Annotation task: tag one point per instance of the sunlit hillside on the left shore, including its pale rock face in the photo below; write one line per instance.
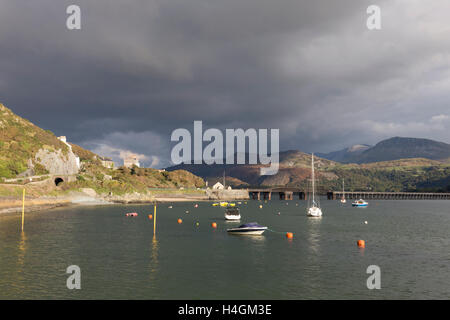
(27, 150)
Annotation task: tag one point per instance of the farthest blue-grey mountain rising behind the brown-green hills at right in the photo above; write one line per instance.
(392, 149)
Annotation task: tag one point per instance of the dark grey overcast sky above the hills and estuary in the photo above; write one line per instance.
(138, 69)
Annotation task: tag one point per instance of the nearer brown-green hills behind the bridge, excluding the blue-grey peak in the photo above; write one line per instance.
(395, 175)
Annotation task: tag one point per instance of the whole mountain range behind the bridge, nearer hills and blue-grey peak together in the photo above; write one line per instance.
(395, 164)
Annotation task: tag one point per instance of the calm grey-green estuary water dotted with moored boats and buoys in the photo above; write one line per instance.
(119, 257)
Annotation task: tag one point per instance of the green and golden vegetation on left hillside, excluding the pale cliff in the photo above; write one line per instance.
(20, 140)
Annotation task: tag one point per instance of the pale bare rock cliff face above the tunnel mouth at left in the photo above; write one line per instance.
(57, 162)
